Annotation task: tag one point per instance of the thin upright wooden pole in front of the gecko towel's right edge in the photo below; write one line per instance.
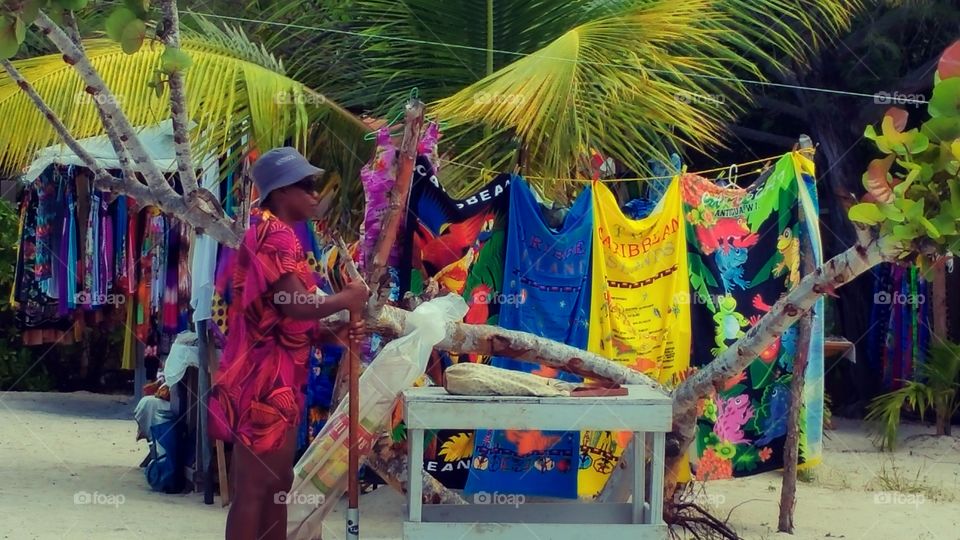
(791, 449)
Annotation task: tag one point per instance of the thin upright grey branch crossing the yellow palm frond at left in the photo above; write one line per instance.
(178, 102)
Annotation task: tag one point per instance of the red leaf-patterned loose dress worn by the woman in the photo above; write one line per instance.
(258, 396)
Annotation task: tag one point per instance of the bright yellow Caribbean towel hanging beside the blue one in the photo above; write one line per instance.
(638, 316)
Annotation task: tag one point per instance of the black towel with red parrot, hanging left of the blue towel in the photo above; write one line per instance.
(460, 243)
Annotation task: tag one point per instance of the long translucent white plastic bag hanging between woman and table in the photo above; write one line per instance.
(320, 477)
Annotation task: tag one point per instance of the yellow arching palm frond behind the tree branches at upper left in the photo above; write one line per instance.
(235, 90)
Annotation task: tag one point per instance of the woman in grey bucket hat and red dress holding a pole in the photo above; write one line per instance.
(259, 394)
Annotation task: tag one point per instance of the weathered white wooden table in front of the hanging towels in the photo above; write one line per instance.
(645, 411)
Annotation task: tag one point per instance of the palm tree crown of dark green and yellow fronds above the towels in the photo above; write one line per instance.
(627, 77)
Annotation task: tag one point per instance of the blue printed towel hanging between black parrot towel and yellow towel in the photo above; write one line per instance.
(546, 292)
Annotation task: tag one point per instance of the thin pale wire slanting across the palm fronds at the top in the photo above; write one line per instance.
(875, 97)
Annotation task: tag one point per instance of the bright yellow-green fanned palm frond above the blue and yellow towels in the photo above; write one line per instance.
(620, 84)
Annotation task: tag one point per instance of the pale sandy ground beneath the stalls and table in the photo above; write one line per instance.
(56, 449)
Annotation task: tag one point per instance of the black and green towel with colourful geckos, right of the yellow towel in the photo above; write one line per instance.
(744, 254)
